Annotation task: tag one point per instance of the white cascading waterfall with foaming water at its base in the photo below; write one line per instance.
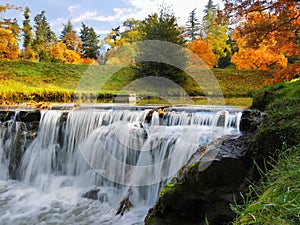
(105, 155)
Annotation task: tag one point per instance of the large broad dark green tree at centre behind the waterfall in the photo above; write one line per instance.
(162, 27)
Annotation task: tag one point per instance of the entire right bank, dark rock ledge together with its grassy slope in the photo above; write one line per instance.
(244, 183)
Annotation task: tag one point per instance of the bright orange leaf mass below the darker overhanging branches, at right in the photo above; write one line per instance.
(256, 52)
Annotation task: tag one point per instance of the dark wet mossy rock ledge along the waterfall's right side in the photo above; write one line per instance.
(211, 180)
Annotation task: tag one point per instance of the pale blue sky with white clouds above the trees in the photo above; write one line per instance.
(103, 15)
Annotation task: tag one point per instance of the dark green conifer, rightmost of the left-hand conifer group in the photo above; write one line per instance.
(90, 42)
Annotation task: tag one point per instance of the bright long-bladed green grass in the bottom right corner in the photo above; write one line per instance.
(278, 196)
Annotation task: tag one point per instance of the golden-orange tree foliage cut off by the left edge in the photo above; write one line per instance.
(9, 48)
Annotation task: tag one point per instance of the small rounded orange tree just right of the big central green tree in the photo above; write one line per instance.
(202, 49)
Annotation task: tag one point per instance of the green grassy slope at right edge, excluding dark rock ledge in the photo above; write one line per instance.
(276, 198)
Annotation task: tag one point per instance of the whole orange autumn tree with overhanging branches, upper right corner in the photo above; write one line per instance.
(272, 26)
